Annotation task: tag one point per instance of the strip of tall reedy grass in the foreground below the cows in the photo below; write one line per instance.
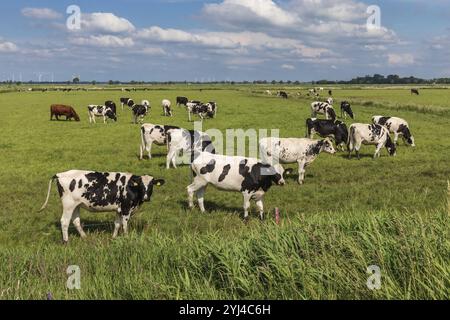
(323, 256)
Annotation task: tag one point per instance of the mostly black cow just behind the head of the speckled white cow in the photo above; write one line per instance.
(328, 128)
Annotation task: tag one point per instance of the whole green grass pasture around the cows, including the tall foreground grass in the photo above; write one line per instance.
(349, 214)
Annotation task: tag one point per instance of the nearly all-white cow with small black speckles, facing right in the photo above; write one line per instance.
(293, 150)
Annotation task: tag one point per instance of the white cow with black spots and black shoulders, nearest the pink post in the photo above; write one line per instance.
(246, 175)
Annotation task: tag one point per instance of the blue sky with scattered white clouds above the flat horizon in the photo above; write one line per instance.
(191, 40)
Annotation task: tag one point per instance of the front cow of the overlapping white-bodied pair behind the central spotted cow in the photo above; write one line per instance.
(187, 141)
